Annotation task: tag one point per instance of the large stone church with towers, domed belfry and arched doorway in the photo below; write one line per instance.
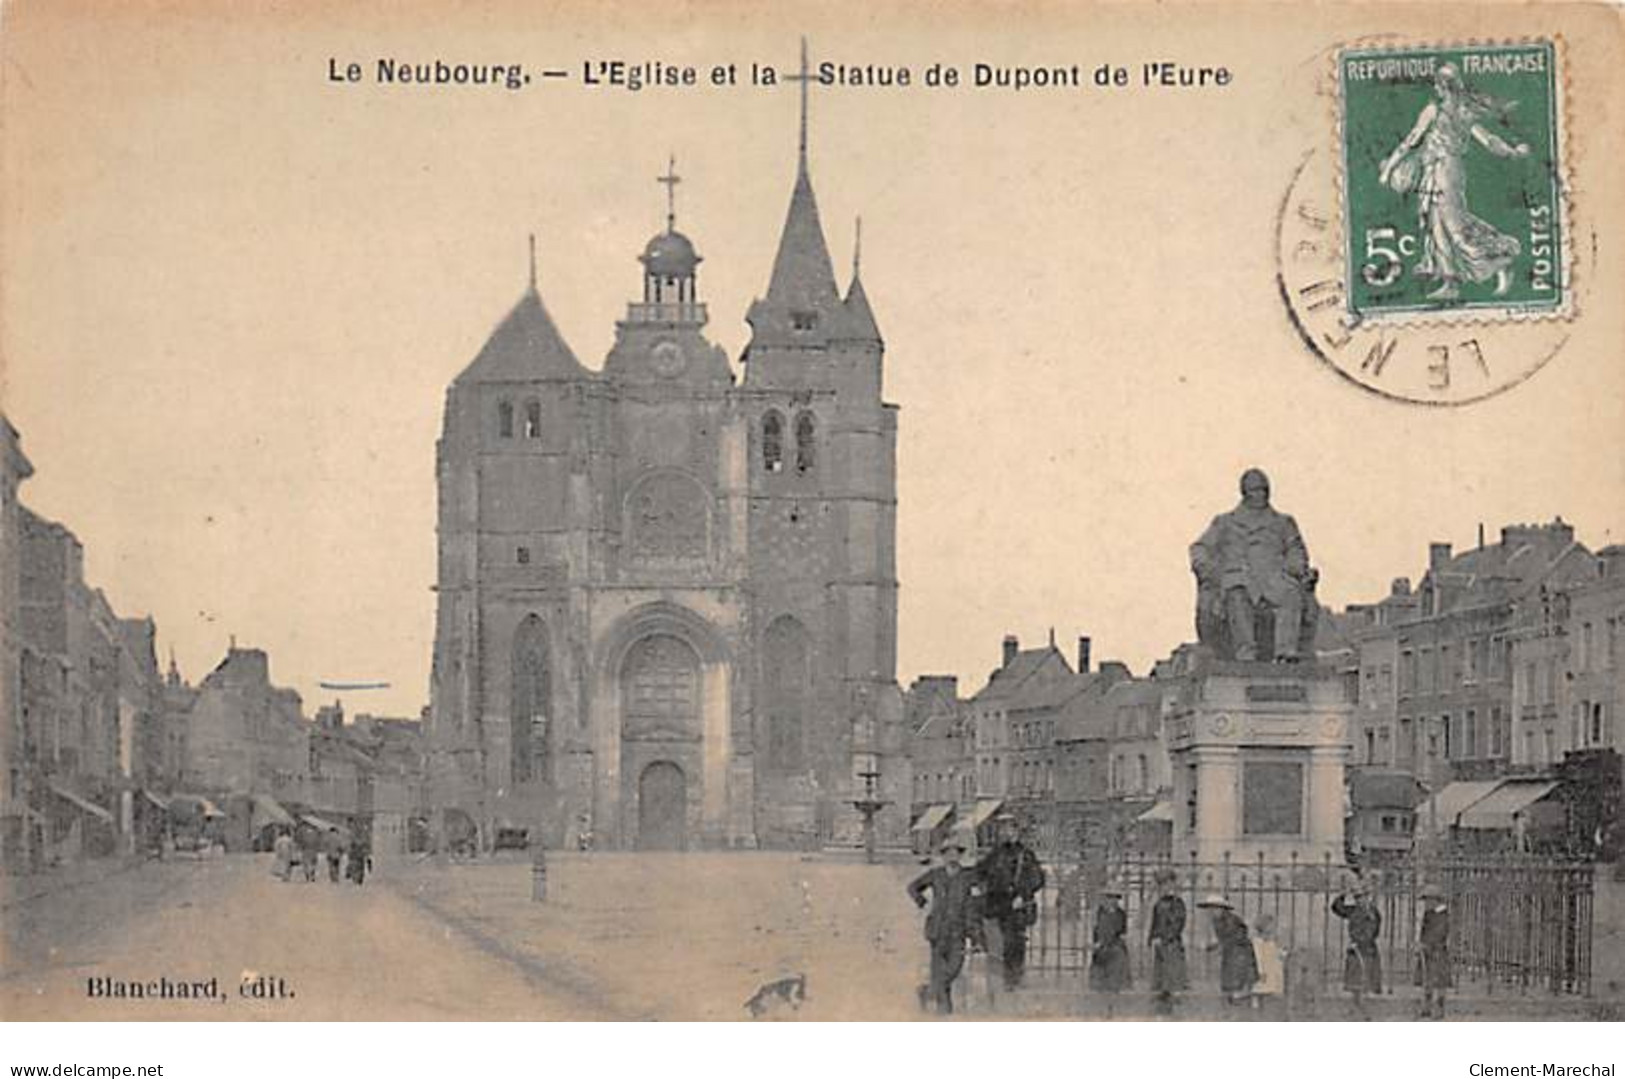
(667, 592)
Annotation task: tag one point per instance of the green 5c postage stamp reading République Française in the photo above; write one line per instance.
(1454, 183)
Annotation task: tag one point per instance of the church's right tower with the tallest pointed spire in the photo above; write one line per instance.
(823, 540)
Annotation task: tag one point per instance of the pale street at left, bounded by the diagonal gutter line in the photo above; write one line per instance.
(345, 953)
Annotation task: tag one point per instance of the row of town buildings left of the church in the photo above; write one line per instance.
(102, 753)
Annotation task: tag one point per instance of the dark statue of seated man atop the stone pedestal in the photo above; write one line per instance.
(1249, 561)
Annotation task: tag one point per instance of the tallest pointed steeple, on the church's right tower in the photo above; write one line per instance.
(802, 292)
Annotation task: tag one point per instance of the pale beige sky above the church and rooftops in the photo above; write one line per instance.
(235, 293)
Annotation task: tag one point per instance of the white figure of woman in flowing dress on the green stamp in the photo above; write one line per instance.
(1457, 245)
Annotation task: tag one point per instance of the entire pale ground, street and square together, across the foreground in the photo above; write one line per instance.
(622, 937)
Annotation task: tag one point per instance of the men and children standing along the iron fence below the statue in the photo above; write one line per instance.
(990, 908)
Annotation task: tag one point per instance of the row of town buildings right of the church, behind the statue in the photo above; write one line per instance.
(1502, 670)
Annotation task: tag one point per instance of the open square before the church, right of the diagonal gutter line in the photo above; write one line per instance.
(693, 937)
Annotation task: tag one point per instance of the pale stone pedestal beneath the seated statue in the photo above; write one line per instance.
(1259, 755)
